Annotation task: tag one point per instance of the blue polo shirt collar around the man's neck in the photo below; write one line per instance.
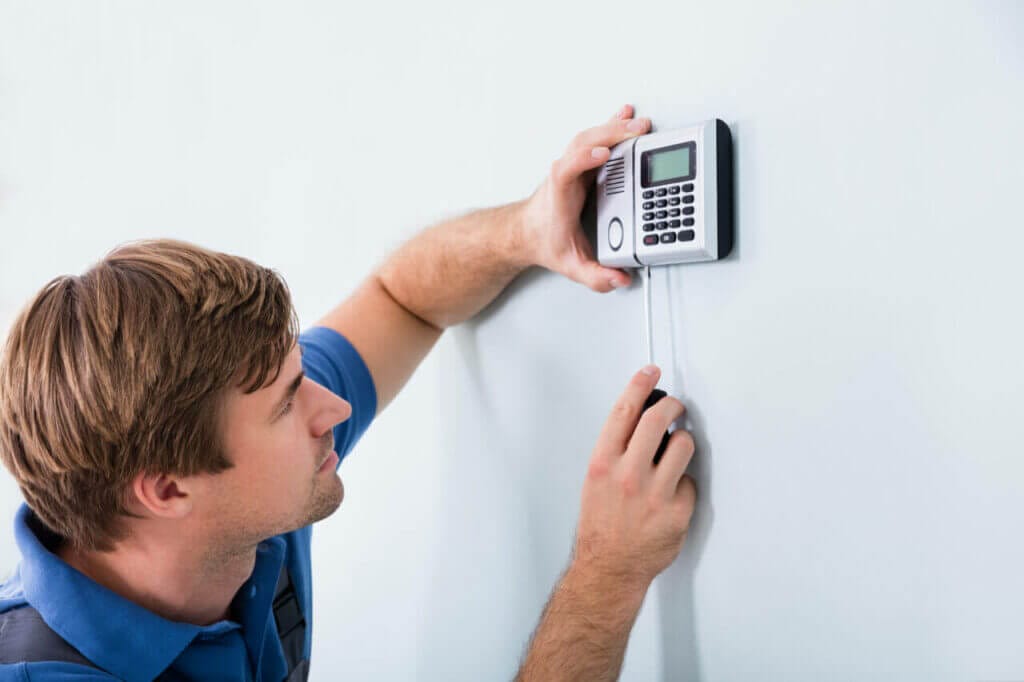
(117, 634)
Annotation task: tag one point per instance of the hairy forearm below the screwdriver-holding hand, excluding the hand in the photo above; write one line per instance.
(584, 631)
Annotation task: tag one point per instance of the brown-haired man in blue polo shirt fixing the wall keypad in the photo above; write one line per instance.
(175, 439)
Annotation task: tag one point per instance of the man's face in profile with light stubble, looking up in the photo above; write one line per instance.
(281, 443)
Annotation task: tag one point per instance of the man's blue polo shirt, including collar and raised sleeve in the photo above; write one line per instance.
(130, 643)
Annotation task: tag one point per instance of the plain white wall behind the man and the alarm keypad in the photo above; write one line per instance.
(852, 373)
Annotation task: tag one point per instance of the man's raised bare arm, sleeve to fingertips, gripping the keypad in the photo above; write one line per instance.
(451, 272)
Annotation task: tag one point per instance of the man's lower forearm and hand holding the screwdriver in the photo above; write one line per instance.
(634, 519)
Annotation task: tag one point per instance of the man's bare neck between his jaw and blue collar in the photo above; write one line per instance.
(178, 581)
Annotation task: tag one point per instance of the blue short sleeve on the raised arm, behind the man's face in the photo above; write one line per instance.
(331, 361)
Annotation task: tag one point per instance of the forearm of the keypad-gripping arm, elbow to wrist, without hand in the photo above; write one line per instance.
(449, 273)
